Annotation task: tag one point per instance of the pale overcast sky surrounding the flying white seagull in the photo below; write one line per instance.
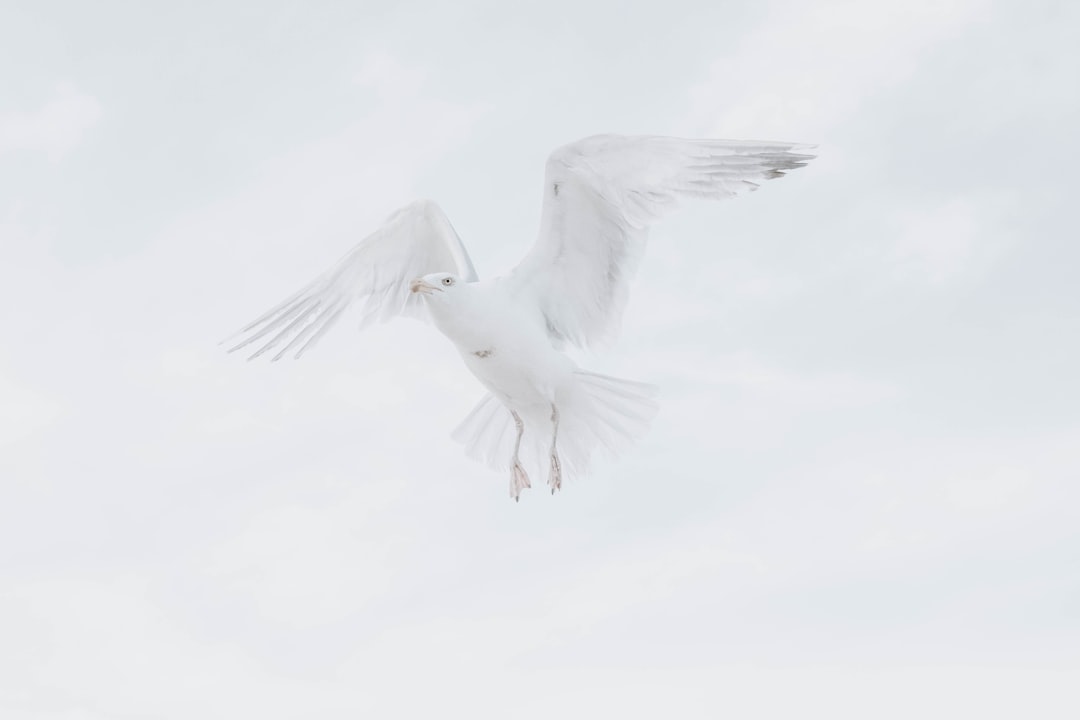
(860, 498)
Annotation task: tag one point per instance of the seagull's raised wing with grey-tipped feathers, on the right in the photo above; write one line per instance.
(601, 195)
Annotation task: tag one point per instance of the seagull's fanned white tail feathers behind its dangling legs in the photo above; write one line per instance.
(595, 411)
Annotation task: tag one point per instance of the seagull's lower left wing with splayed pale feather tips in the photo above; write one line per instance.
(415, 241)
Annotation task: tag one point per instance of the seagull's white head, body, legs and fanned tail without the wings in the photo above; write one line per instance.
(506, 344)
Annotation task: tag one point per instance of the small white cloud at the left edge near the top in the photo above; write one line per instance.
(56, 129)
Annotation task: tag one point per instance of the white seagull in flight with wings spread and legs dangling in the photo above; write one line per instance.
(601, 196)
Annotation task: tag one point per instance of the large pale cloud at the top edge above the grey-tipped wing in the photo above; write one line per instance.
(811, 66)
